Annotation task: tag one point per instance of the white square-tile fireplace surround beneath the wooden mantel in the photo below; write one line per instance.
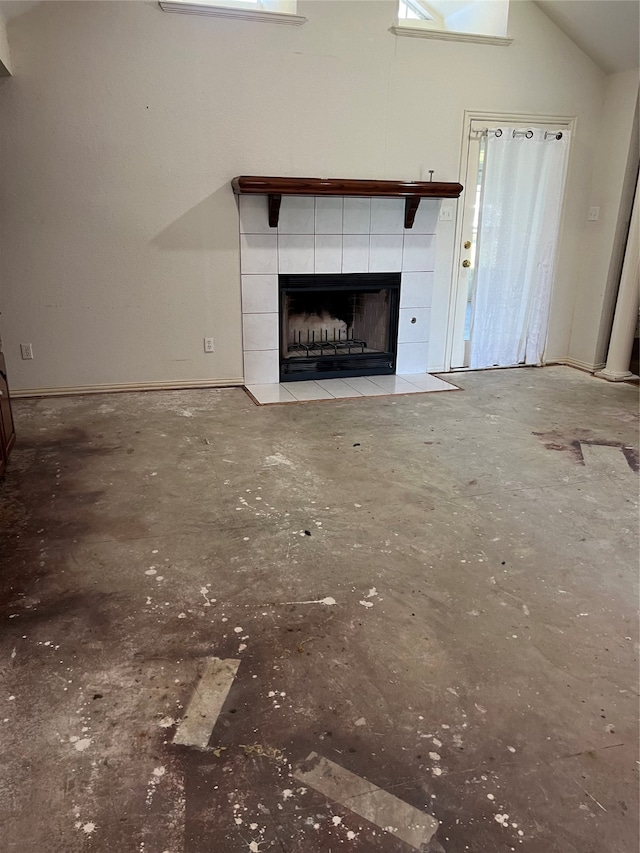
(336, 234)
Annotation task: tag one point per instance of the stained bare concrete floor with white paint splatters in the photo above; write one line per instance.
(480, 662)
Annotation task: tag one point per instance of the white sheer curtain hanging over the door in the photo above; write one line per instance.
(517, 237)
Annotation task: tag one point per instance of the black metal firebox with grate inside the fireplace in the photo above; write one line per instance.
(338, 325)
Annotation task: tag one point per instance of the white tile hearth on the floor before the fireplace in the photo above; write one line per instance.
(348, 388)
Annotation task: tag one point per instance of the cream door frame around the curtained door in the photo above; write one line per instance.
(570, 122)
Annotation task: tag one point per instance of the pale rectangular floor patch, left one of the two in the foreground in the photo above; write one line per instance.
(206, 703)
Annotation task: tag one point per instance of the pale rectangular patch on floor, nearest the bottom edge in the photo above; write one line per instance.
(365, 799)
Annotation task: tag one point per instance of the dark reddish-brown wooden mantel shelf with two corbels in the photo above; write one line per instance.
(411, 191)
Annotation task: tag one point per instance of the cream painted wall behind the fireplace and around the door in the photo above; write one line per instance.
(123, 125)
